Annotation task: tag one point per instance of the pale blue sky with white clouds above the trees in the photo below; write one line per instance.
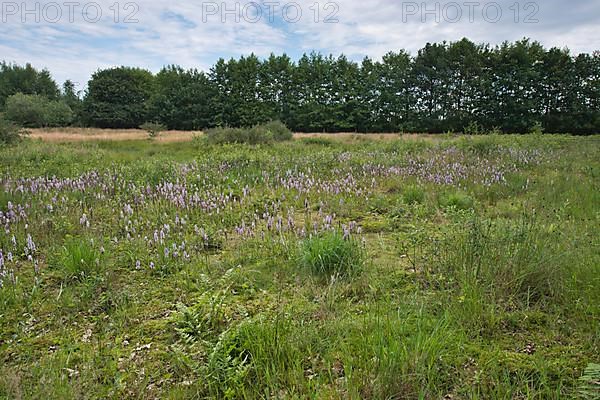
(73, 39)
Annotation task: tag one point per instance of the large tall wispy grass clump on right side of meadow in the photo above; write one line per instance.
(511, 263)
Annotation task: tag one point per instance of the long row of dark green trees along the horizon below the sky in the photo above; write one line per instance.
(458, 86)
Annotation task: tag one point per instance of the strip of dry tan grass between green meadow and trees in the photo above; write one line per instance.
(94, 134)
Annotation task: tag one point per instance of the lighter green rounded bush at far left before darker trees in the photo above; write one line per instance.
(34, 111)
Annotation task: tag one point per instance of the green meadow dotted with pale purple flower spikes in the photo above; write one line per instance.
(446, 267)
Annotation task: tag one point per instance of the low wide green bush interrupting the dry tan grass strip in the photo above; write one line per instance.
(274, 131)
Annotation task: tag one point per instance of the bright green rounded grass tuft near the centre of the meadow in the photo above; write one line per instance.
(331, 254)
